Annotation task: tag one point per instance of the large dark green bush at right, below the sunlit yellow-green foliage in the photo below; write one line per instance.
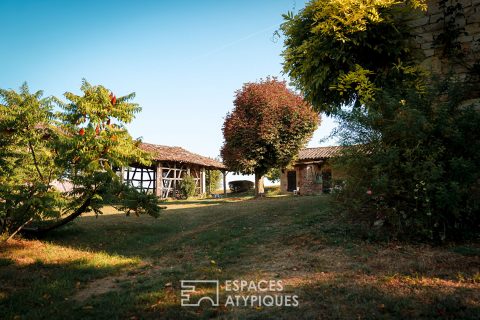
(419, 158)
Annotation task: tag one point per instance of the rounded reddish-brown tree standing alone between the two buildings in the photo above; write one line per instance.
(266, 129)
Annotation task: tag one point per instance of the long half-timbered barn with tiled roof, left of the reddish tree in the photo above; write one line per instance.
(169, 166)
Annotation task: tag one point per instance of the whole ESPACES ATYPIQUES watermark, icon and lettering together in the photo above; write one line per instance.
(238, 293)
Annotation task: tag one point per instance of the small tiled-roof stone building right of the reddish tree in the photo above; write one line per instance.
(311, 172)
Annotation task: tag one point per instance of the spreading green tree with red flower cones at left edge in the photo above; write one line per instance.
(82, 145)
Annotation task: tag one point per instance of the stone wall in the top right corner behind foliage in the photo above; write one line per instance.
(430, 26)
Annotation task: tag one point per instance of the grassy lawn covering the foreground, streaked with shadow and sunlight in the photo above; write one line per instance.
(117, 267)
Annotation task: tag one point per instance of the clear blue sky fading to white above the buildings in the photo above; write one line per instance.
(183, 59)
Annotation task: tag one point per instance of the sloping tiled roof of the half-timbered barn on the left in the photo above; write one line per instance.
(178, 154)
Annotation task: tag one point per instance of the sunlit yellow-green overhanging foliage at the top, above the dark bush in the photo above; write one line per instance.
(339, 51)
